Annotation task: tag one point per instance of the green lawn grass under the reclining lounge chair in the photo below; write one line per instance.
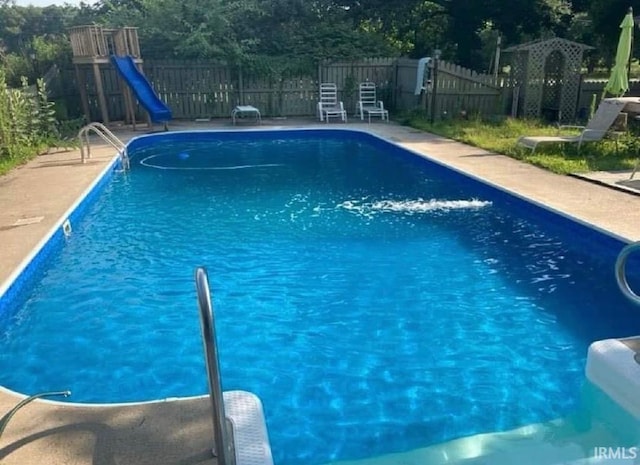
(500, 136)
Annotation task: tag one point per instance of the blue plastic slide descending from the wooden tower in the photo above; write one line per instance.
(158, 110)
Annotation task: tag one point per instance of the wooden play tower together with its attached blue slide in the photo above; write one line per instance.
(95, 46)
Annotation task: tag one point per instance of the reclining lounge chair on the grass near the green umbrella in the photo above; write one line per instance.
(595, 130)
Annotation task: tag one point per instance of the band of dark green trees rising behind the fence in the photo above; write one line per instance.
(305, 31)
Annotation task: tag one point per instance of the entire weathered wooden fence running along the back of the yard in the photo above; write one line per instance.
(209, 89)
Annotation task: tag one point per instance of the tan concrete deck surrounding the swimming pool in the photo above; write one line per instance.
(34, 198)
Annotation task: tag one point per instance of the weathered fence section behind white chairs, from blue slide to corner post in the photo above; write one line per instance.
(209, 89)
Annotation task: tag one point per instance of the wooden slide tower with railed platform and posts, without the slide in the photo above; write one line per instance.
(92, 46)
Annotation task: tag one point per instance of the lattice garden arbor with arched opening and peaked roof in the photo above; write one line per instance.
(545, 77)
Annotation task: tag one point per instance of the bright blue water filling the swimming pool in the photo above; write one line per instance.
(374, 301)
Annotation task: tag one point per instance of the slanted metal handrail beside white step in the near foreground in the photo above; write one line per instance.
(222, 445)
